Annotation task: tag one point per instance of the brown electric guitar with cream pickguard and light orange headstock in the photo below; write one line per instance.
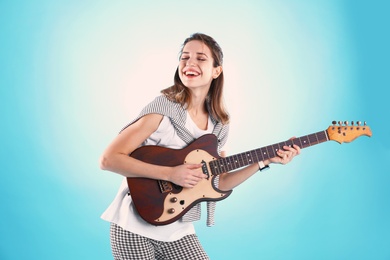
(161, 202)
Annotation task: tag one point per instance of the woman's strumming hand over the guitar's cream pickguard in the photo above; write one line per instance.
(187, 175)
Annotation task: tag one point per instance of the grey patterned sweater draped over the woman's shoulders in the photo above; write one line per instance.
(178, 115)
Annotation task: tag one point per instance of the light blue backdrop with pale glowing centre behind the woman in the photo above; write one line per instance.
(72, 73)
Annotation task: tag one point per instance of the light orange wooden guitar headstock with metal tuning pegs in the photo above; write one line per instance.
(345, 132)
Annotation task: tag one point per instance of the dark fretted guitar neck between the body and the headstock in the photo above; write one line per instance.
(236, 161)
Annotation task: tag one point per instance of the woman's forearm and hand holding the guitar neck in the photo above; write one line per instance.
(231, 180)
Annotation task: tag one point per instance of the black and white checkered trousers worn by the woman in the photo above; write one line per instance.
(127, 245)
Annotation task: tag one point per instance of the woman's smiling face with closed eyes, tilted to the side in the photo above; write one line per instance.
(196, 68)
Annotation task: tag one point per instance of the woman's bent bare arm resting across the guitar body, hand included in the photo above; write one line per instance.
(116, 156)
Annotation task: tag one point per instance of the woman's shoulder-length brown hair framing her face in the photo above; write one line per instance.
(214, 100)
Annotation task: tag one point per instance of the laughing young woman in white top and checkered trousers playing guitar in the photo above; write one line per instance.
(185, 111)
